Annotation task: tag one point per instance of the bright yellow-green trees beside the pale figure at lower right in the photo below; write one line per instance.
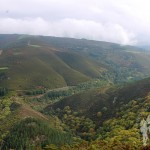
(125, 127)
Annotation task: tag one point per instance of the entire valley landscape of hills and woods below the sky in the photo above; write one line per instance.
(65, 93)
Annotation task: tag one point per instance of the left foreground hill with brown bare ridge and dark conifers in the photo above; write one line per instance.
(21, 127)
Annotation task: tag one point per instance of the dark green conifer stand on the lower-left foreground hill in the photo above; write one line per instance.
(31, 134)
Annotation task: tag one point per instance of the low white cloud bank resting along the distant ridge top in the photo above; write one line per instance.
(68, 28)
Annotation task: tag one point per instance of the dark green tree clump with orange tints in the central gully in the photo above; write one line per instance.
(80, 126)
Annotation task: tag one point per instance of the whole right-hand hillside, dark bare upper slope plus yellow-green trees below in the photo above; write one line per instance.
(108, 116)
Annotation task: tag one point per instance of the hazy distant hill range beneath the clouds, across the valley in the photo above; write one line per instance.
(28, 62)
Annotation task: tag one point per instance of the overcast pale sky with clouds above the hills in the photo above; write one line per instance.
(125, 22)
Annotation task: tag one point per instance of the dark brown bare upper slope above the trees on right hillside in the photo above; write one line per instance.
(106, 100)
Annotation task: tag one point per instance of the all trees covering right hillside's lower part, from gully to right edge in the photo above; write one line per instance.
(119, 132)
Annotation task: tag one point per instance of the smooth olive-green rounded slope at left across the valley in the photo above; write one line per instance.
(34, 66)
